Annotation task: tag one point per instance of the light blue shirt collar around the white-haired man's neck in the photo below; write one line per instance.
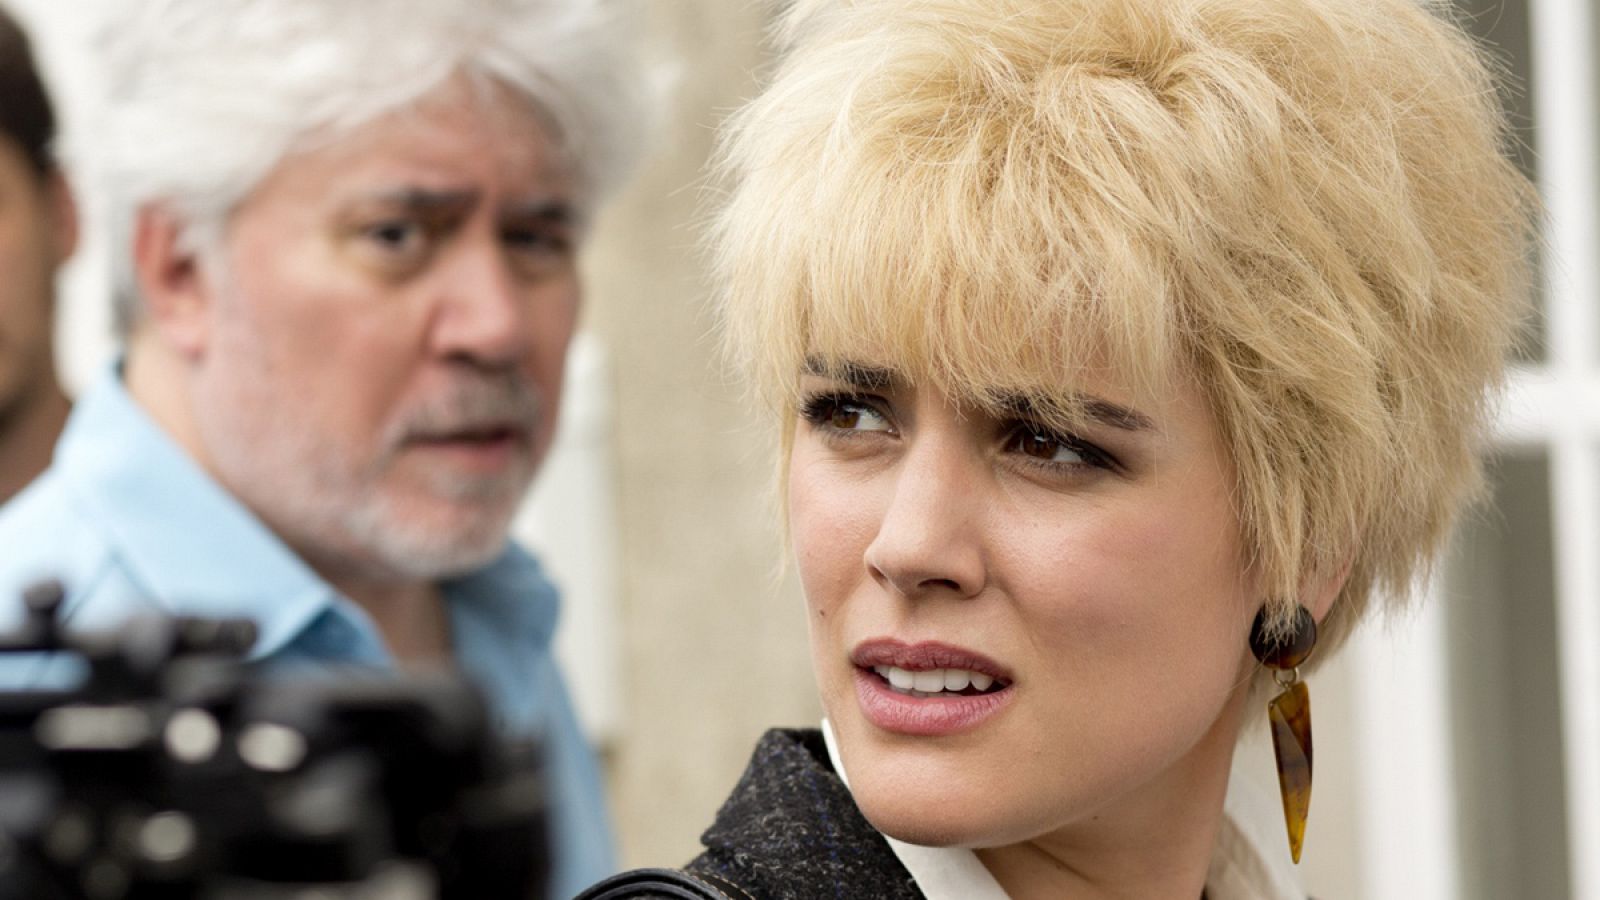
(196, 550)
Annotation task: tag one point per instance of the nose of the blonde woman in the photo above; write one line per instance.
(930, 537)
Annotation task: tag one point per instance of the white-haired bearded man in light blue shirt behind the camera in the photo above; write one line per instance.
(345, 257)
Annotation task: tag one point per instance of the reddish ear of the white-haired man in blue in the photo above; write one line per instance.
(172, 283)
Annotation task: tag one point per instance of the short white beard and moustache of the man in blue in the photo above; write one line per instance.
(329, 504)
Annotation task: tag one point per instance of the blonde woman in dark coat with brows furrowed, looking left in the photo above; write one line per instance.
(1126, 355)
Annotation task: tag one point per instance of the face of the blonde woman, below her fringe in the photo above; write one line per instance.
(1020, 614)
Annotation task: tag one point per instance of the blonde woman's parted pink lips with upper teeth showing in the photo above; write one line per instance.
(897, 691)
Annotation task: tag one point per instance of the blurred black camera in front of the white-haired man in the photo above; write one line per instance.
(174, 769)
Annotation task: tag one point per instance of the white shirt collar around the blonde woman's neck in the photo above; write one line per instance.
(1241, 866)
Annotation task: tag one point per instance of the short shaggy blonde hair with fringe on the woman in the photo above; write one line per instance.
(1300, 204)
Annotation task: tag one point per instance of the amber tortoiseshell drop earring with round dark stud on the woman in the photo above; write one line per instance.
(1290, 715)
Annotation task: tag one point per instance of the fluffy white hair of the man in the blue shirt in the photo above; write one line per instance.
(204, 98)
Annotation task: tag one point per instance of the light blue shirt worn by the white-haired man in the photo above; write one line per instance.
(130, 523)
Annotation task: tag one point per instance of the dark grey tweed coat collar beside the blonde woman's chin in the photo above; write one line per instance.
(791, 832)
